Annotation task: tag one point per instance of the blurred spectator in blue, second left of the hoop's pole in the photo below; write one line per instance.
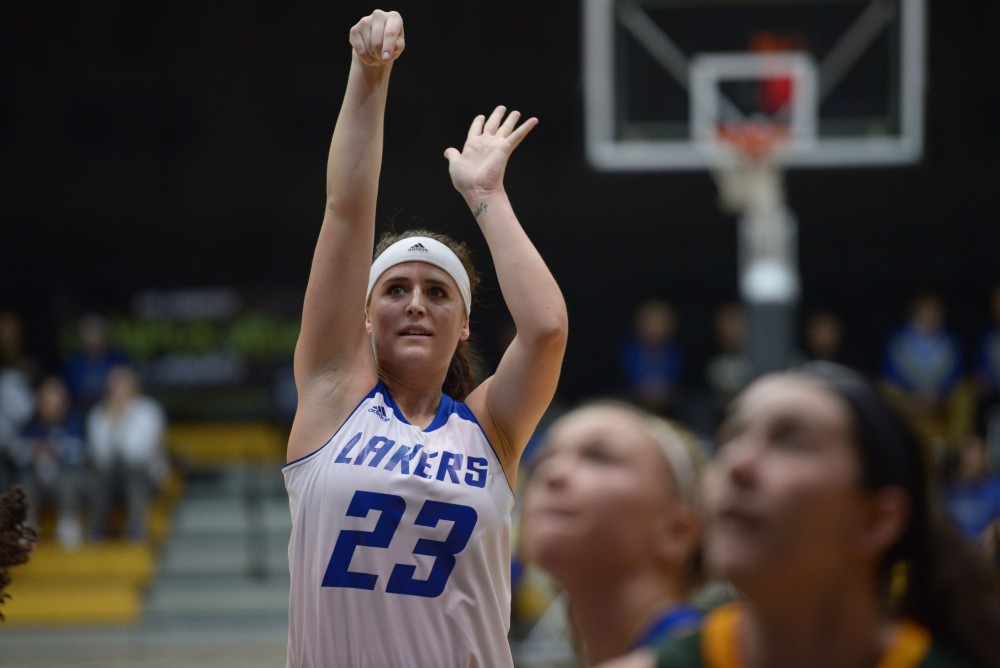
(651, 358)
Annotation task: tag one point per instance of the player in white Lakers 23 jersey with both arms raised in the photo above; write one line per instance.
(400, 493)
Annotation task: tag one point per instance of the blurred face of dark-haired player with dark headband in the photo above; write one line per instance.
(782, 496)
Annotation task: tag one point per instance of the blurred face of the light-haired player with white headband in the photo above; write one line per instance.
(598, 496)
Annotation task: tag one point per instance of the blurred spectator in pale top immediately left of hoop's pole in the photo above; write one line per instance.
(729, 369)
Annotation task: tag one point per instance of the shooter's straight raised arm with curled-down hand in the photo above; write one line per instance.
(333, 353)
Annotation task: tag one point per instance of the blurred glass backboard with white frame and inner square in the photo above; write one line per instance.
(665, 78)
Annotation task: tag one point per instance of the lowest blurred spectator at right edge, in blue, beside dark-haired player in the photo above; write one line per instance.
(972, 491)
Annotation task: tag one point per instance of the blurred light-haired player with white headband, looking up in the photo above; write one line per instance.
(609, 512)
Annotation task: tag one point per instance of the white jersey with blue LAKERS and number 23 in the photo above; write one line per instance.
(400, 545)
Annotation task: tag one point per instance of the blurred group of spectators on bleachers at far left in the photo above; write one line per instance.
(84, 440)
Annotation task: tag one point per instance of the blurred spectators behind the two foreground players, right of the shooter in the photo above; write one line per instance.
(946, 381)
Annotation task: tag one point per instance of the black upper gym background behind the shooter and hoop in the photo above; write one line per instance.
(182, 143)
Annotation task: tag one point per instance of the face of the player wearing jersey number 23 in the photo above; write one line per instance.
(416, 314)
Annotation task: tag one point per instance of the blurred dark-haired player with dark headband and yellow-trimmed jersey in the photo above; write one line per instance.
(819, 510)
